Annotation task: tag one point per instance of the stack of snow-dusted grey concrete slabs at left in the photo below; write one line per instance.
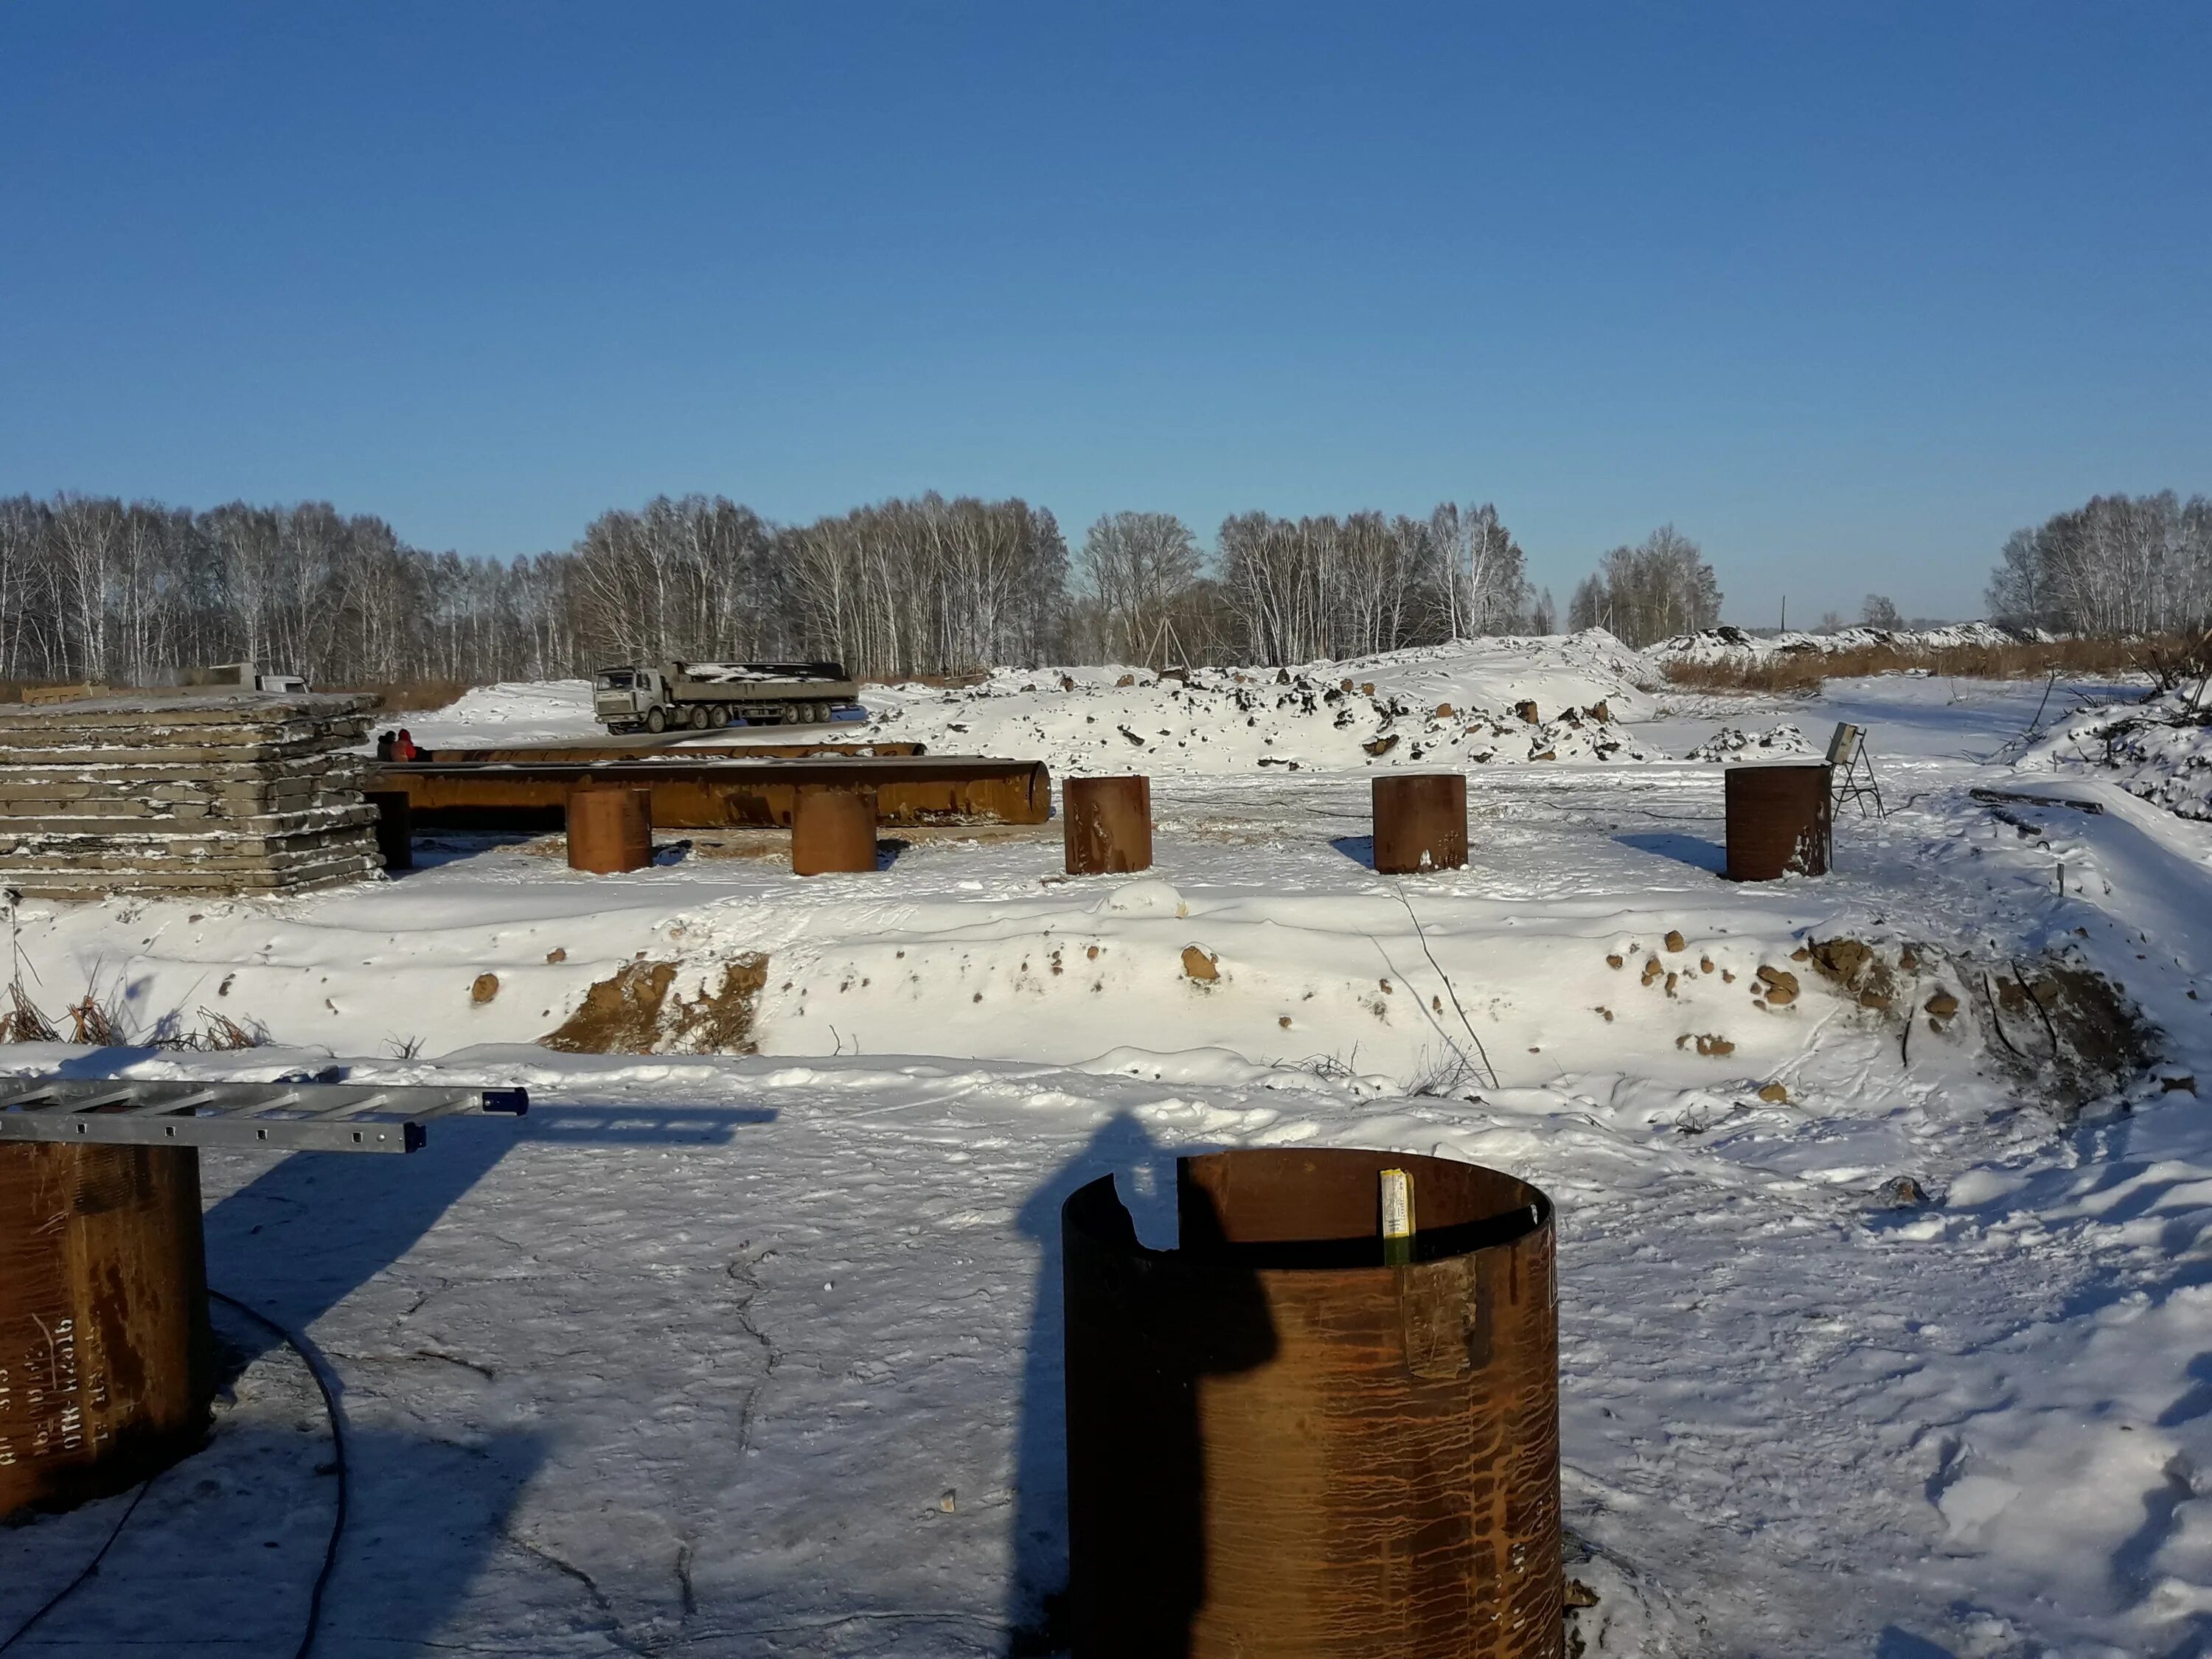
(165, 793)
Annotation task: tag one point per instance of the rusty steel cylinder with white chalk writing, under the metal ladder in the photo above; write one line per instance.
(105, 1357)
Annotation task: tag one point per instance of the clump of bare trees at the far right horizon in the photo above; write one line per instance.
(2122, 565)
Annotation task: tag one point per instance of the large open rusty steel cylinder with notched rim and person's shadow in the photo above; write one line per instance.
(1282, 1448)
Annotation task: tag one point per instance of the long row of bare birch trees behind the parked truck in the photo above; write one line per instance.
(132, 594)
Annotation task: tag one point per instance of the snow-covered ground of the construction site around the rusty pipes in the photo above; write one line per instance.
(1884, 1200)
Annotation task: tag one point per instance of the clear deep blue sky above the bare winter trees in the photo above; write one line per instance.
(1846, 293)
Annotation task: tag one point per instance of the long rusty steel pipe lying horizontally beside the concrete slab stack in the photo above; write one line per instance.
(722, 795)
